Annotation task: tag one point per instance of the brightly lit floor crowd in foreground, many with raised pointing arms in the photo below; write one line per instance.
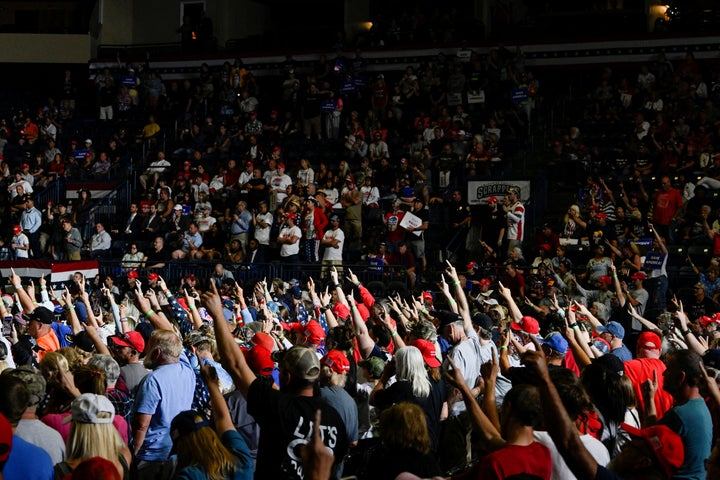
(207, 379)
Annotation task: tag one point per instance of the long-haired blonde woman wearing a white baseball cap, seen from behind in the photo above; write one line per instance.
(92, 434)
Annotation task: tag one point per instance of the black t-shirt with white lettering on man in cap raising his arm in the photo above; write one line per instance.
(286, 423)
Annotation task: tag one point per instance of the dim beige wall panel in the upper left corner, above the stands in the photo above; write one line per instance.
(44, 48)
